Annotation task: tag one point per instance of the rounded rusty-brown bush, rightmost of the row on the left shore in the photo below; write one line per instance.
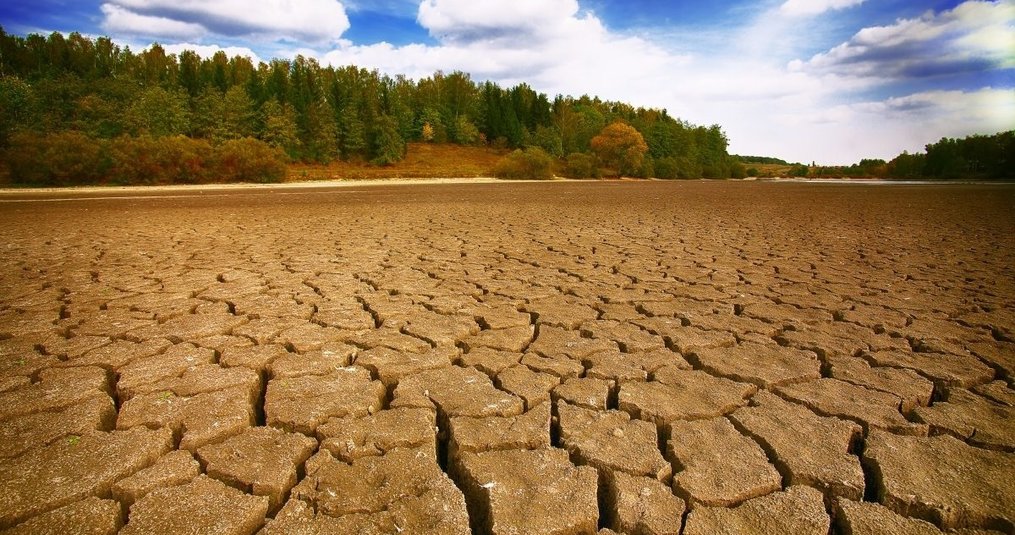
(249, 160)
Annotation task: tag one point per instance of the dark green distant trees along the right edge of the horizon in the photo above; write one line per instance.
(973, 158)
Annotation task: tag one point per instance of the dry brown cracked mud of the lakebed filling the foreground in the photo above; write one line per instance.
(556, 358)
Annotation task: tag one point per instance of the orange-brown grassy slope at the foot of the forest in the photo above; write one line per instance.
(424, 161)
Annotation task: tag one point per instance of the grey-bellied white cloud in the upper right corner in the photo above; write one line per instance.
(974, 37)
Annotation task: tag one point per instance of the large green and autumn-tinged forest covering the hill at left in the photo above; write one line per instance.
(55, 90)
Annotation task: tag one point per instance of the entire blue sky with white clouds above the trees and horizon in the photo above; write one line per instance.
(831, 82)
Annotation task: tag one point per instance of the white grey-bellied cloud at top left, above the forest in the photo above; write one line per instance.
(316, 22)
